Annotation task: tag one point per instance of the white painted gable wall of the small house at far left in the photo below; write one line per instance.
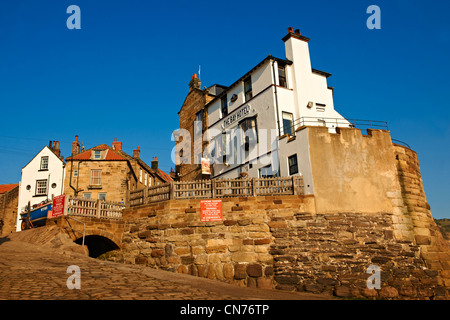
(31, 173)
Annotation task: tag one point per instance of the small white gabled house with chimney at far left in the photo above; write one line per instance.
(42, 179)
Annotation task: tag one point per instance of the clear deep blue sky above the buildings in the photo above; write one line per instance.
(125, 74)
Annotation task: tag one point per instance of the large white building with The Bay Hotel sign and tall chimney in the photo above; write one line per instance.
(248, 119)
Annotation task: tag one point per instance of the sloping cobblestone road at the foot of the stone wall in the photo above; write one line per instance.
(34, 272)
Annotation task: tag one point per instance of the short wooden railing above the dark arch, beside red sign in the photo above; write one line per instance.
(94, 208)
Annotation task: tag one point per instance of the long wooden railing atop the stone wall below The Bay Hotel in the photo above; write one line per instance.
(217, 188)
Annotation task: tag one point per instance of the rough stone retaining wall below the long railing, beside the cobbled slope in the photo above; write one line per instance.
(280, 242)
